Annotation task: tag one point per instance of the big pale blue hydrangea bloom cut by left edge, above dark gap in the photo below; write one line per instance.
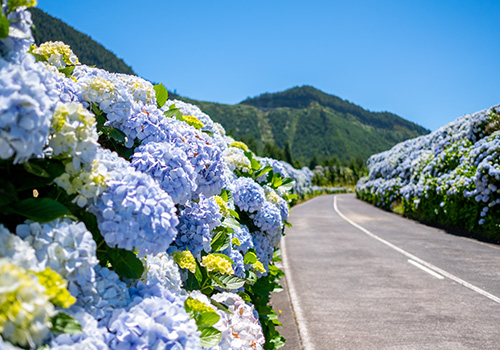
(27, 101)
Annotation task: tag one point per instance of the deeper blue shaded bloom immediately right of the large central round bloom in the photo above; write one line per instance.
(196, 222)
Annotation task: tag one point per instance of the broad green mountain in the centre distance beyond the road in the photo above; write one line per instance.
(311, 124)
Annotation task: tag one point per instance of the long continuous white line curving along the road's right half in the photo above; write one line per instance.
(417, 259)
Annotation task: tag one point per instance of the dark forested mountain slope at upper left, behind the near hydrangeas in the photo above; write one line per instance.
(89, 52)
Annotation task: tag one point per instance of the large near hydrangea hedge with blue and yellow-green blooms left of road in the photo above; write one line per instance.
(128, 221)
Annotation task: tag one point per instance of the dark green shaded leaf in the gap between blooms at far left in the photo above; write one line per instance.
(41, 209)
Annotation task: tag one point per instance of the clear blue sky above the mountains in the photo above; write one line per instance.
(427, 61)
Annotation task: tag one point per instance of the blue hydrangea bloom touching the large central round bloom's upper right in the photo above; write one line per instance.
(169, 166)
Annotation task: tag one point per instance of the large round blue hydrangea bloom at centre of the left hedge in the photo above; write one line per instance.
(134, 213)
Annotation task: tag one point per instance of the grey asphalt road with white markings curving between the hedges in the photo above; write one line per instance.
(357, 280)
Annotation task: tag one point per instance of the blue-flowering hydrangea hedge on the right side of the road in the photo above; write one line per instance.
(450, 176)
